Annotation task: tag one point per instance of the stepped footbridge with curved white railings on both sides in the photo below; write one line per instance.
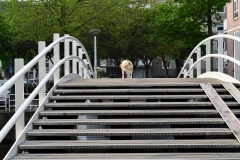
(113, 118)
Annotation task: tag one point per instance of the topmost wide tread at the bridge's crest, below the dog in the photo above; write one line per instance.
(138, 82)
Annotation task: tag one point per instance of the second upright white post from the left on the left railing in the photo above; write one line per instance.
(41, 71)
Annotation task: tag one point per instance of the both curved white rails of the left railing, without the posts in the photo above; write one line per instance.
(44, 80)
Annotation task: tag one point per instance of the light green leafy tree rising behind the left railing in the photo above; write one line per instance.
(33, 20)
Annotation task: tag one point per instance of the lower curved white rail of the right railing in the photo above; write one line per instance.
(212, 55)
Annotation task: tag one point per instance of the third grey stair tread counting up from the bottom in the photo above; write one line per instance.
(131, 131)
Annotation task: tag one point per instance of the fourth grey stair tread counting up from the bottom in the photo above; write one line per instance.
(129, 121)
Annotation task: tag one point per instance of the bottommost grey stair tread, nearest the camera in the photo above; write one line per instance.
(215, 155)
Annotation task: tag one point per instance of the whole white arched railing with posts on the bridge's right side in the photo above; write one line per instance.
(206, 42)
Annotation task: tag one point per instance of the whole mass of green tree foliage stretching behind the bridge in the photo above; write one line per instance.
(128, 30)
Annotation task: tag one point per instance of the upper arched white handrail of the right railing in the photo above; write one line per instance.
(202, 42)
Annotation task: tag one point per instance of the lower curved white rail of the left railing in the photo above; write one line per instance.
(23, 107)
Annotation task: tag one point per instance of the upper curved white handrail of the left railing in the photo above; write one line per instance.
(11, 81)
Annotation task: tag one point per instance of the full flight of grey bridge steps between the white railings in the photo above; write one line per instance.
(137, 119)
